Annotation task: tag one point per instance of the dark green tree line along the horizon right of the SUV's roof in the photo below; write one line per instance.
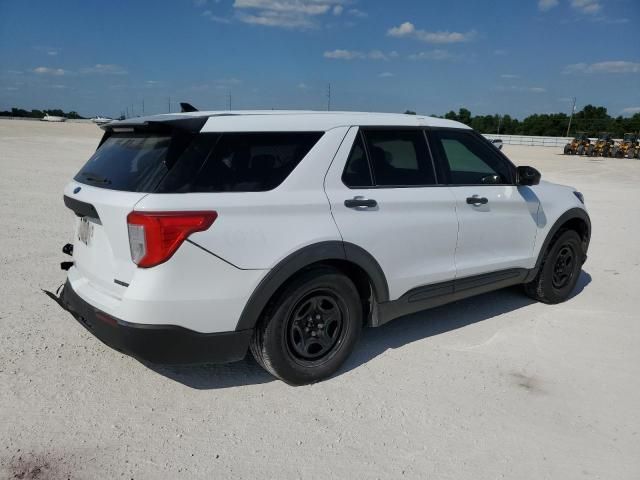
(591, 119)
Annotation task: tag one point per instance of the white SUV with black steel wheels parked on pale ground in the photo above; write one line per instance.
(202, 235)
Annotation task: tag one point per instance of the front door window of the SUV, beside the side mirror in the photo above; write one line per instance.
(471, 161)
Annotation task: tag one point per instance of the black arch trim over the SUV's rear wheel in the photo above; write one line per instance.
(300, 259)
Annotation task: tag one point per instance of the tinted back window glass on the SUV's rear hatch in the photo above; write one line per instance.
(131, 162)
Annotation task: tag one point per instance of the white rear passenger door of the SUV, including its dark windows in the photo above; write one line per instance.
(385, 198)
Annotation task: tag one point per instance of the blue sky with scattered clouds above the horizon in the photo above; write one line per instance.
(517, 57)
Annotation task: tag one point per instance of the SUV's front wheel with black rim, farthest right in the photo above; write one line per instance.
(559, 270)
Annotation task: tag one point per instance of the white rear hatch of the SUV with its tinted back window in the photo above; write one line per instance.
(129, 164)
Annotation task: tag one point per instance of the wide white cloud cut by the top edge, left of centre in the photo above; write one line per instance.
(299, 14)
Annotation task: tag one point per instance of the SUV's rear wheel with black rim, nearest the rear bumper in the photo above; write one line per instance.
(310, 327)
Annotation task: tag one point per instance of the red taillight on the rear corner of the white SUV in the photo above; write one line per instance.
(155, 236)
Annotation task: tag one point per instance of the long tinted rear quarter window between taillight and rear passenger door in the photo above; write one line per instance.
(252, 162)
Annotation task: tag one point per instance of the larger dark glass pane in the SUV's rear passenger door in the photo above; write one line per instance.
(399, 157)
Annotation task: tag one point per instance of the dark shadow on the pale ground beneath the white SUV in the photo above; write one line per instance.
(374, 341)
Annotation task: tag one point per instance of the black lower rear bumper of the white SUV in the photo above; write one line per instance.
(162, 344)
